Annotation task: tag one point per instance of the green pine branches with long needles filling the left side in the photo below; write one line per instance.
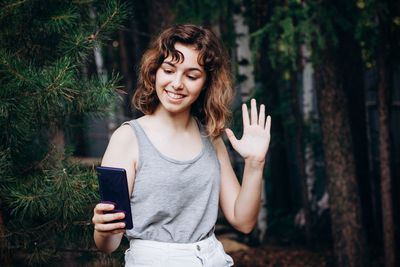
(46, 199)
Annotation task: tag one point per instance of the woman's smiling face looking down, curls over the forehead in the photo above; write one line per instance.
(179, 84)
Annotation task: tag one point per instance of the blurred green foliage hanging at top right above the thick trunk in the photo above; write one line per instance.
(295, 23)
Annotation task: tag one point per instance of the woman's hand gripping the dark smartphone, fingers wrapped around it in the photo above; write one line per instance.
(102, 221)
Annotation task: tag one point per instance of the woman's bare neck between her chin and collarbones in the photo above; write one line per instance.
(177, 121)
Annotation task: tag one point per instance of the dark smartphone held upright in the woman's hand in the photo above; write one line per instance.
(114, 189)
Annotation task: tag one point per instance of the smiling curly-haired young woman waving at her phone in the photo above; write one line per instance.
(177, 165)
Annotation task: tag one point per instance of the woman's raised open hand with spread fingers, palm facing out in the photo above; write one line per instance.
(253, 146)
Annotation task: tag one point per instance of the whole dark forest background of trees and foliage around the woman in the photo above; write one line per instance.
(328, 72)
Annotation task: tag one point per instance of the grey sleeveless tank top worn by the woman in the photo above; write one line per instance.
(174, 201)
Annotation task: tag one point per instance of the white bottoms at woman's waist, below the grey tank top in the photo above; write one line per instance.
(208, 252)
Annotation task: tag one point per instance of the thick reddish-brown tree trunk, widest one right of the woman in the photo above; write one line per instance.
(345, 208)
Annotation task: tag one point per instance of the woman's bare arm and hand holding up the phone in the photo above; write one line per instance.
(121, 153)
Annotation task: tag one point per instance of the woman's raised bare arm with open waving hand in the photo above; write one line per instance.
(241, 204)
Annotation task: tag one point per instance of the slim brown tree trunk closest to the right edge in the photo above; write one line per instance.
(384, 158)
